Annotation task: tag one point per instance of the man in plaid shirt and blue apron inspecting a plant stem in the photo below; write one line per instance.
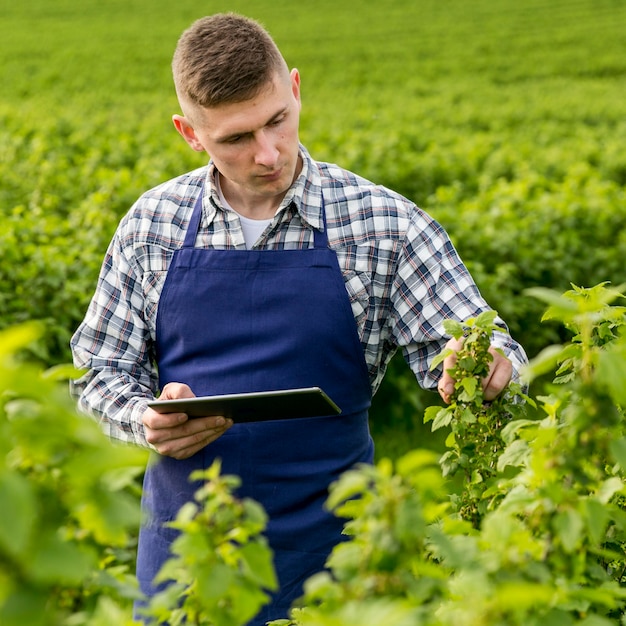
(264, 270)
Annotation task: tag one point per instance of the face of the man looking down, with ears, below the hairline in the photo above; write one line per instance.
(254, 144)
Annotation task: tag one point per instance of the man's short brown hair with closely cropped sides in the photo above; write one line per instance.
(224, 58)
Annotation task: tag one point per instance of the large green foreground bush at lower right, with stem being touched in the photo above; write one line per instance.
(542, 540)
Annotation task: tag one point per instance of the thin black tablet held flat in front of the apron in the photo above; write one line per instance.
(254, 407)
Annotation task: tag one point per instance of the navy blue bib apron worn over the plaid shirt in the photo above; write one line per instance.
(258, 320)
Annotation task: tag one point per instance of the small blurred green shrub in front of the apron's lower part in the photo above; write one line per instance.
(221, 564)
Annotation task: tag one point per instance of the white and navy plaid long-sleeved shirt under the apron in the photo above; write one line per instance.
(401, 272)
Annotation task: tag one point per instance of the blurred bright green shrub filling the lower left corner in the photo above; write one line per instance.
(70, 505)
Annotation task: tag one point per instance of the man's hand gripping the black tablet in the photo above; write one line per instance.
(174, 434)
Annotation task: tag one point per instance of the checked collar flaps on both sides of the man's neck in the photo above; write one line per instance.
(305, 194)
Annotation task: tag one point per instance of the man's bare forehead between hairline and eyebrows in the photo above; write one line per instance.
(237, 118)
